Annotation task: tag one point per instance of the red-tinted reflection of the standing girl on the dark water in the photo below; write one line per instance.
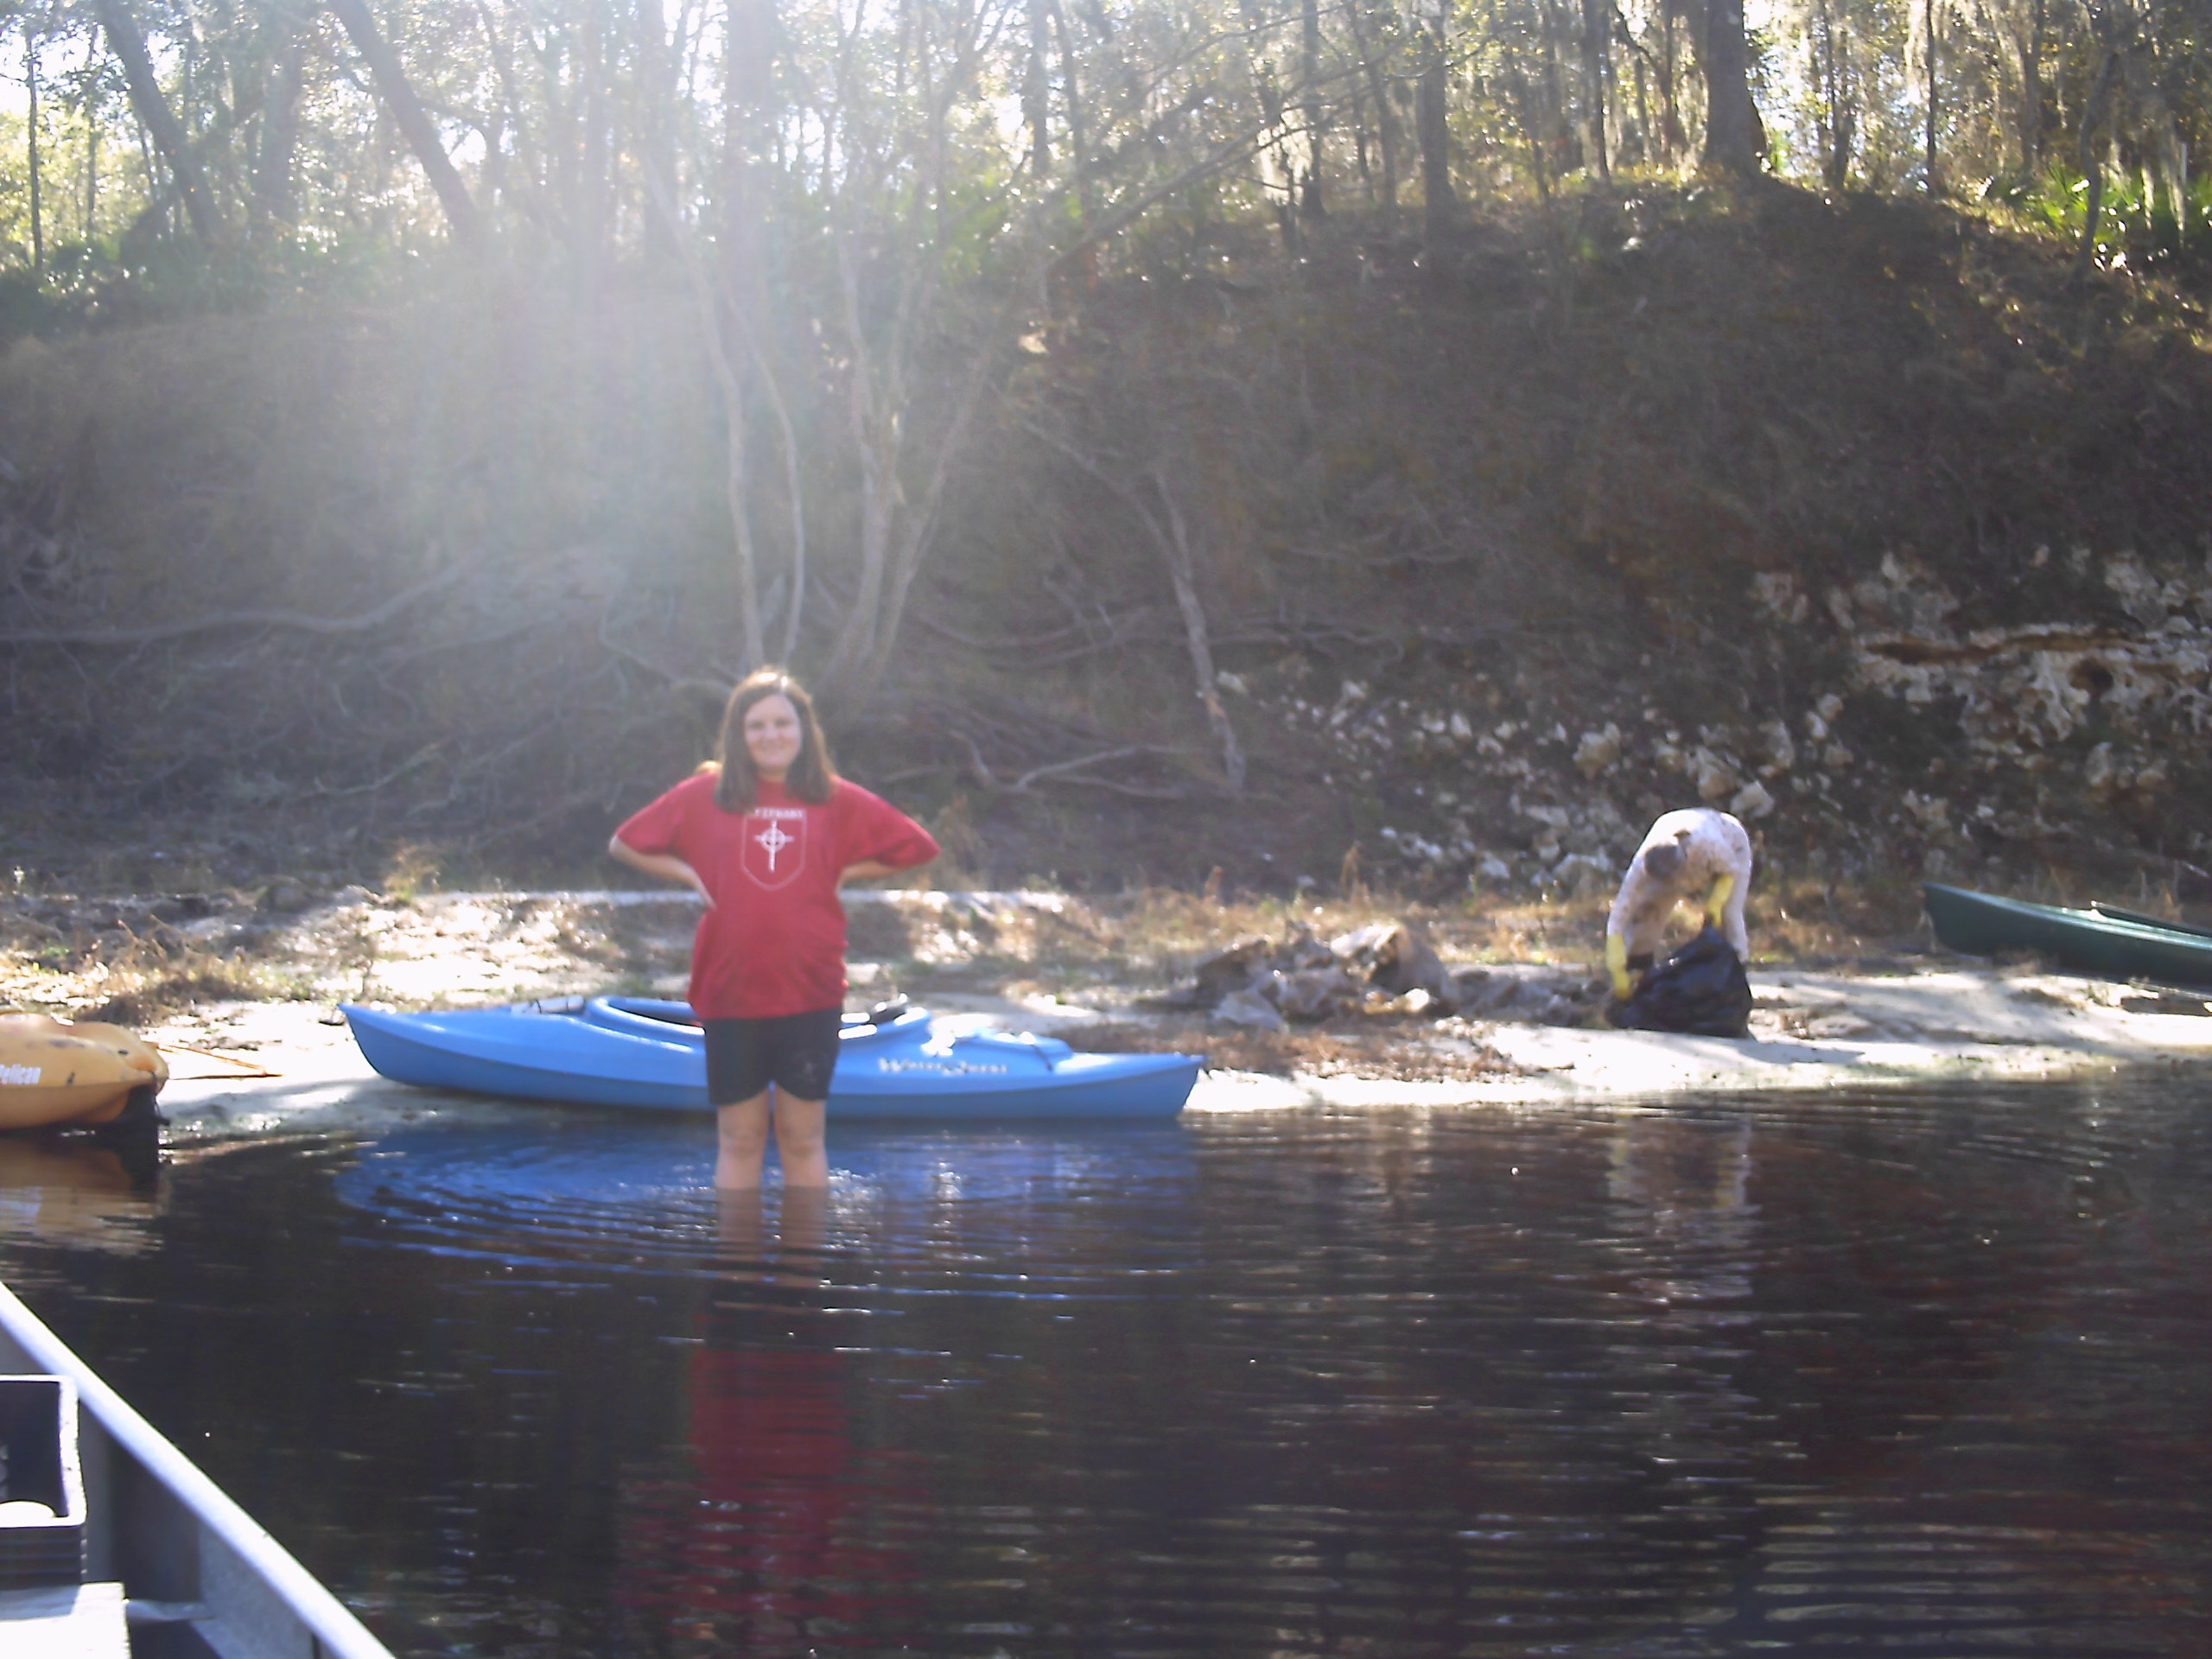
(766, 1550)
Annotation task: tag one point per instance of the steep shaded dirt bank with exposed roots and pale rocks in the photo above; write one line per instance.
(1855, 517)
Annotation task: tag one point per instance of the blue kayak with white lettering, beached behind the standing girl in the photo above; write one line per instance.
(636, 1052)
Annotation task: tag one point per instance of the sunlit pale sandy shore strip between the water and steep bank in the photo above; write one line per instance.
(1523, 1030)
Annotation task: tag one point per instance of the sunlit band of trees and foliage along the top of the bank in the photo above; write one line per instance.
(997, 136)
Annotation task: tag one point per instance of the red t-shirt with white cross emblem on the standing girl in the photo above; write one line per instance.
(775, 939)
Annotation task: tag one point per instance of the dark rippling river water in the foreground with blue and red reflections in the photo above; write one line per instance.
(1908, 1375)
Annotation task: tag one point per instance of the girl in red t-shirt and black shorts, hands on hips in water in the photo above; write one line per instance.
(766, 835)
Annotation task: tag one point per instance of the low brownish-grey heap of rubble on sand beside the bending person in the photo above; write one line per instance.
(1384, 970)
